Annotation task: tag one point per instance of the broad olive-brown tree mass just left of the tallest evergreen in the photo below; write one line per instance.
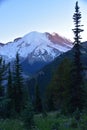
(58, 90)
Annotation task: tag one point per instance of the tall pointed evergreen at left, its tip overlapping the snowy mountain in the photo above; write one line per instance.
(18, 86)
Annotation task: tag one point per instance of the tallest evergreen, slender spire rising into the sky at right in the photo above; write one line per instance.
(77, 90)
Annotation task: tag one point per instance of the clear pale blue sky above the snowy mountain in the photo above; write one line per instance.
(19, 17)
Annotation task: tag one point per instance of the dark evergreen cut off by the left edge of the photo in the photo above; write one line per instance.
(3, 100)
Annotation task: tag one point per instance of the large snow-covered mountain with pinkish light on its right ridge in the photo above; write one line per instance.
(35, 48)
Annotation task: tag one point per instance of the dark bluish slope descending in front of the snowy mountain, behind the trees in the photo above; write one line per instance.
(45, 75)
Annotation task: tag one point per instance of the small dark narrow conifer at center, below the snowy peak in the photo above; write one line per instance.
(38, 101)
